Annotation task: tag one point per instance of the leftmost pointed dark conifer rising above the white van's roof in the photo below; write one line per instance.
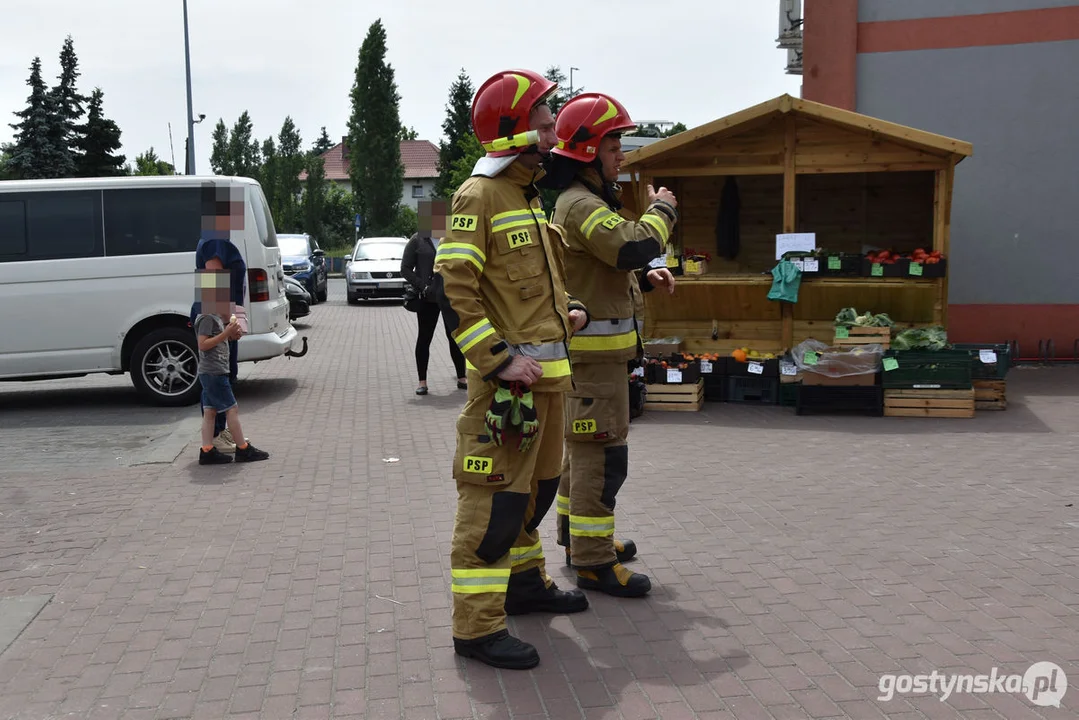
(37, 153)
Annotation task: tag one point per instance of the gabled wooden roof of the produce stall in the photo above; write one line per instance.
(825, 140)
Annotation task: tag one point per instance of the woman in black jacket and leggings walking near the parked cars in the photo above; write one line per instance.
(418, 268)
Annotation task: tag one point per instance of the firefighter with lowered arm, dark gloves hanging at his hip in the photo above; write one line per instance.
(502, 274)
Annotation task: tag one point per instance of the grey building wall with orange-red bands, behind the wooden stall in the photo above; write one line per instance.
(1001, 83)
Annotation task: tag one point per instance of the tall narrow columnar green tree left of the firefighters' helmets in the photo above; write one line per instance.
(375, 162)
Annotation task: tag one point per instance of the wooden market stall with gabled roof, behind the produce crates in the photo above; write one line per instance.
(799, 167)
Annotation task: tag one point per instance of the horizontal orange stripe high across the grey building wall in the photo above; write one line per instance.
(1023, 26)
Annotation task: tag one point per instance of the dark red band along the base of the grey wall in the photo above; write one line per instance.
(1026, 323)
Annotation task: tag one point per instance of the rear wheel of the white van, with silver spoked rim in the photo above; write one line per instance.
(165, 368)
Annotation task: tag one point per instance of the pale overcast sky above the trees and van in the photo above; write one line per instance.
(689, 61)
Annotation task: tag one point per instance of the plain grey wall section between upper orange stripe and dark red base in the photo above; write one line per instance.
(1015, 220)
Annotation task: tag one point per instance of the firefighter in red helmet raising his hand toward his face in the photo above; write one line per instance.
(608, 266)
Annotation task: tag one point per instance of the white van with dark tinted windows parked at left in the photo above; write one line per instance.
(98, 276)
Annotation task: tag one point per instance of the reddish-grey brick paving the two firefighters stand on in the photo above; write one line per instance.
(794, 560)
